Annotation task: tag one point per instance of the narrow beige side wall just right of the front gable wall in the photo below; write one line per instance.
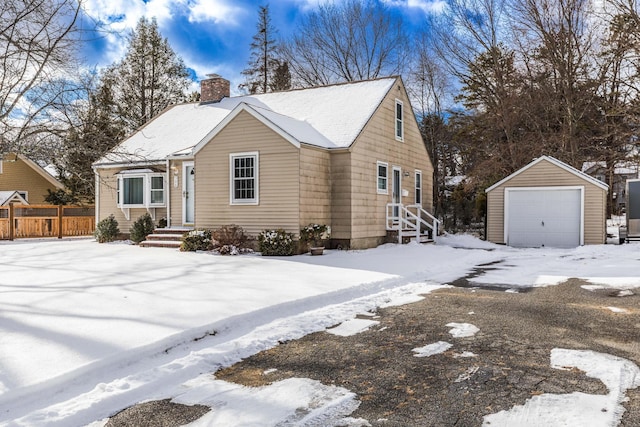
(315, 186)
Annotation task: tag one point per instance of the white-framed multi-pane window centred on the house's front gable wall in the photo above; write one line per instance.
(244, 178)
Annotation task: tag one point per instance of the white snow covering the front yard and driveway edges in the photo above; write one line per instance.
(88, 329)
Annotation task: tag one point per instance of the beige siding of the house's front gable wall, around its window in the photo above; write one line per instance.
(279, 179)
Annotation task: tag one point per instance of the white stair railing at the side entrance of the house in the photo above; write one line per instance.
(411, 218)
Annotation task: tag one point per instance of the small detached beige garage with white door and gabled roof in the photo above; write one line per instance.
(547, 203)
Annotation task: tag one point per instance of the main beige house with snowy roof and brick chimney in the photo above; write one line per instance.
(335, 155)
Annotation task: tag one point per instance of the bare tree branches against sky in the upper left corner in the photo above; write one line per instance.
(37, 41)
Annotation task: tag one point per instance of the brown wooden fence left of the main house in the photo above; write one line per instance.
(18, 221)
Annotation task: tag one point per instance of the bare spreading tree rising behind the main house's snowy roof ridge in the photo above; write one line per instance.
(350, 41)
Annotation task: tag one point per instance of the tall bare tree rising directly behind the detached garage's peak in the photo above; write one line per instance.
(560, 51)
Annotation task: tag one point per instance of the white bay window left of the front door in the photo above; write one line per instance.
(140, 188)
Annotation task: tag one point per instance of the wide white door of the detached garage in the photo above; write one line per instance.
(543, 217)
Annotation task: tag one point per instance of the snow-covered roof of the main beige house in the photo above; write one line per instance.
(326, 116)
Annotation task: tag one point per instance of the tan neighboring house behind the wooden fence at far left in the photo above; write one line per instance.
(24, 176)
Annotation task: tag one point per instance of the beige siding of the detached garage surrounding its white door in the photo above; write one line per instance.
(545, 174)
